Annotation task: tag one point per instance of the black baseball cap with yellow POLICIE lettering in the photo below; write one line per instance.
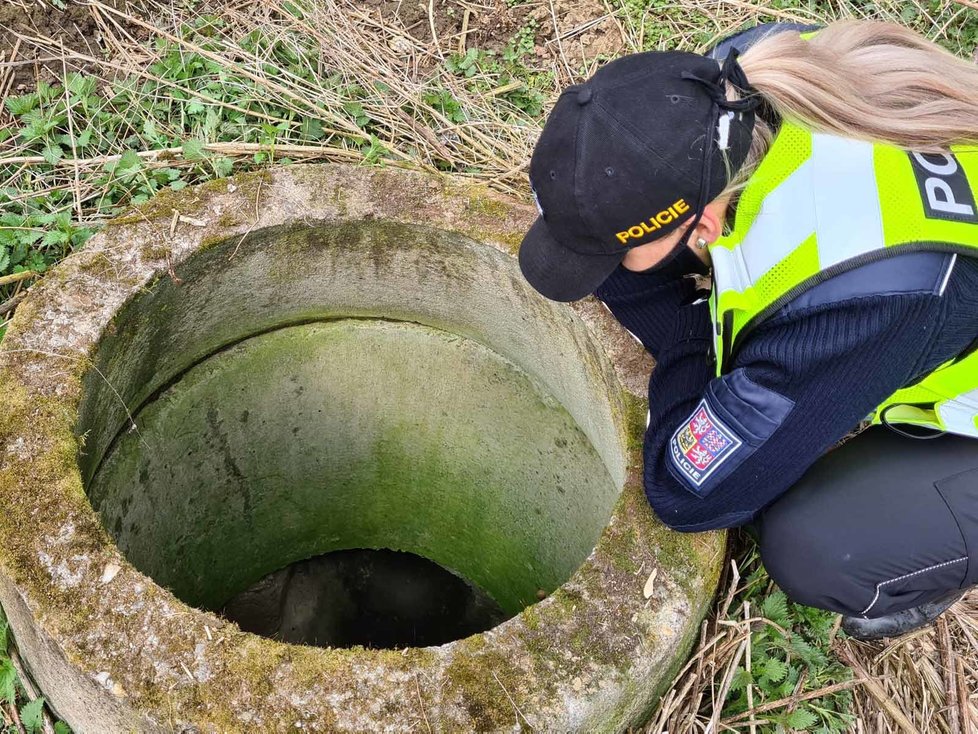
(627, 157)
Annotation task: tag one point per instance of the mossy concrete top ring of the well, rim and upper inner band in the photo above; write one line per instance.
(114, 651)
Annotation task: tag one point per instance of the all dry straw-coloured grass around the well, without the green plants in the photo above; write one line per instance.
(926, 682)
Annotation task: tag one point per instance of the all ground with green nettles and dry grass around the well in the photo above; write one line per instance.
(109, 103)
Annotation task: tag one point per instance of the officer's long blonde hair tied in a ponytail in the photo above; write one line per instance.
(863, 79)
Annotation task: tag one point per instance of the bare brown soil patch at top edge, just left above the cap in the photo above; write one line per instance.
(571, 33)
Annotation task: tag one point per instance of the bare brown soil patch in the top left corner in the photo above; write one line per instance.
(75, 26)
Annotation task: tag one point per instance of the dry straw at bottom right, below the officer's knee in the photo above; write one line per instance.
(923, 682)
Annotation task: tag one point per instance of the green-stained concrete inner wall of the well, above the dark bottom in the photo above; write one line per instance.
(362, 385)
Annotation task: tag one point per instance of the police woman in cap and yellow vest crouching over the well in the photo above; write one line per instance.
(825, 179)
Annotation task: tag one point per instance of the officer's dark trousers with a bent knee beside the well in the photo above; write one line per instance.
(882, 524)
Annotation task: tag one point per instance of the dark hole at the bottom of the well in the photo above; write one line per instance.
(374, 598)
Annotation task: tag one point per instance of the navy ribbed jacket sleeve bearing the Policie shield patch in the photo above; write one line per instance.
(719, 449)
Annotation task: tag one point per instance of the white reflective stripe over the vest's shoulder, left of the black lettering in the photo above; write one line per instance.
(833, 195)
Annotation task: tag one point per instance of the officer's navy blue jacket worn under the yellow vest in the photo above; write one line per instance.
(802, 380)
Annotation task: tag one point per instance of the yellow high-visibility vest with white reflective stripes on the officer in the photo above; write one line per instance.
(819, 205)
